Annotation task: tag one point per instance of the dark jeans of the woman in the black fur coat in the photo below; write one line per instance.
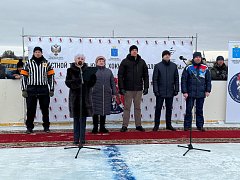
(79, 129)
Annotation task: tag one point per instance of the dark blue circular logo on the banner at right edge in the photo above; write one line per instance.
(234, 87)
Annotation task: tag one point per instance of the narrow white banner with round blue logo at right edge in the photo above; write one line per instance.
(233, 87)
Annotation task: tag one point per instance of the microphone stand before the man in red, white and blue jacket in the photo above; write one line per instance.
(190, 146)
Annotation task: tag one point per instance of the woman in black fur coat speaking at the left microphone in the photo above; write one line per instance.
(80, 79)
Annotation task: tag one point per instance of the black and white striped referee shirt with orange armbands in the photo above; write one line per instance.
(37, 74)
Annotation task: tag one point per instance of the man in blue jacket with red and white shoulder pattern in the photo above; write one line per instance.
(195, 85)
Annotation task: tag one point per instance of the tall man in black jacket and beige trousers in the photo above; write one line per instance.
(132, 77)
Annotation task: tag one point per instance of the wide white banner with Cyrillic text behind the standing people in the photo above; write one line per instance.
(61, 51)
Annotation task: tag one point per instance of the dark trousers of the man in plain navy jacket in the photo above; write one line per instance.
(159, 104)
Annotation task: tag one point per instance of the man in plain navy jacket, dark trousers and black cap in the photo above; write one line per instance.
(165, 87)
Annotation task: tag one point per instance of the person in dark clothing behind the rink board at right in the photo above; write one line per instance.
(219, 70)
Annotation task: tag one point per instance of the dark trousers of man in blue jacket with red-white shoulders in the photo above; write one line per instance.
(199, 112)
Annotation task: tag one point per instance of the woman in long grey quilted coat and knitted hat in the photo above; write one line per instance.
(102, 93)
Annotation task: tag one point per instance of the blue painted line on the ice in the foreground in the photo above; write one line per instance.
(119, 166)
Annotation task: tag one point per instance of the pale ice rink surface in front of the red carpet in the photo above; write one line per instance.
(147, 162)
